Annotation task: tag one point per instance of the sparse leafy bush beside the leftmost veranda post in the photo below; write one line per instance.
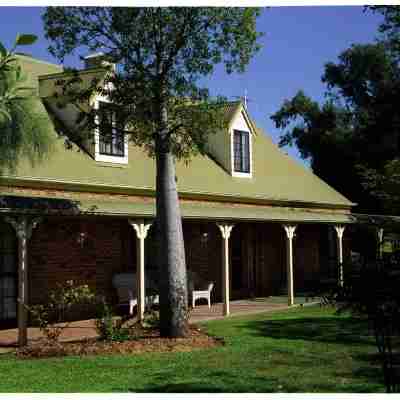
(51, 316)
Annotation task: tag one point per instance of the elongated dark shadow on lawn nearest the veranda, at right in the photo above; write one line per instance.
(327, 329)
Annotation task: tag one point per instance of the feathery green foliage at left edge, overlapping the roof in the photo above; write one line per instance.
(26, 131)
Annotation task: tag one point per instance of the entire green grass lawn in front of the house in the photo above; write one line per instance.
(301, 350)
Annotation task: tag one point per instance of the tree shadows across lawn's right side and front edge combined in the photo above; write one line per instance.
(363, 374)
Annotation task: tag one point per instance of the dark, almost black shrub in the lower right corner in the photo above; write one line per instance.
(372, 291)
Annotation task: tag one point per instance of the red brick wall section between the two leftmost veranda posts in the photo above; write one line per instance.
(56, 256)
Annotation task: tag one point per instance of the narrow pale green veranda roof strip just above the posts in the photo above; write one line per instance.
(146, 209)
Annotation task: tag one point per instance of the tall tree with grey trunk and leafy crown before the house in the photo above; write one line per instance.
(160, 54)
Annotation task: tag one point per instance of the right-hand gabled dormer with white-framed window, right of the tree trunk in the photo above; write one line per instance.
(233, 148)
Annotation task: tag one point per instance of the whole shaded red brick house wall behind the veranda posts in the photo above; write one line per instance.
(56, 256)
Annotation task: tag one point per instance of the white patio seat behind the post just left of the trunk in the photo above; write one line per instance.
(125, 285)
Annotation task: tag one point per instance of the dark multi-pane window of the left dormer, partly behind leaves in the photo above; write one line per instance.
(111, 136)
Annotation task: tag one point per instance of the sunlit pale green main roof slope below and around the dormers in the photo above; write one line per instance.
(276, 176)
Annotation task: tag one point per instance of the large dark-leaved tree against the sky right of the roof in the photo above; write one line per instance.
(354, 134)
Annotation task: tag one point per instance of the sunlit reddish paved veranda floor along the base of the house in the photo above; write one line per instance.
(79, 330)
